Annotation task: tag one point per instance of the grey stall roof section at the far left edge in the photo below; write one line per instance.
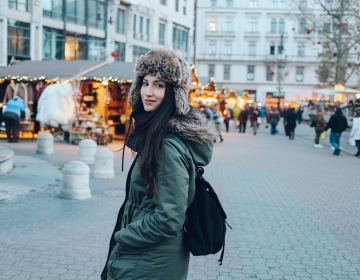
(51, 69)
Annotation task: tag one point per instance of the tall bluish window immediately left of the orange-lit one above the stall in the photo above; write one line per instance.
(53, 44)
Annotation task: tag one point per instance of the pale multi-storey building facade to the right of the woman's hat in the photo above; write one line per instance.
(260, 46)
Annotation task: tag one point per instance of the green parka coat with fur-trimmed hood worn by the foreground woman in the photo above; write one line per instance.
(147, 242)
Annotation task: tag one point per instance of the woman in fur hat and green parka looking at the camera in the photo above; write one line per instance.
(147, 242)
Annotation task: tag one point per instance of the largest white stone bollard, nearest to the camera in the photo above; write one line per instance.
(75, 180)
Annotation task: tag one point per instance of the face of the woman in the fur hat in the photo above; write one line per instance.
(152, 92)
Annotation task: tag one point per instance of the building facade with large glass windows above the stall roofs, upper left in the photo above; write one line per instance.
(93, 29)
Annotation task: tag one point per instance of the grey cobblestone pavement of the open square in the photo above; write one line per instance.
(294, 211)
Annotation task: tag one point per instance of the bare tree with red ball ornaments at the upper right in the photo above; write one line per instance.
(336, 25)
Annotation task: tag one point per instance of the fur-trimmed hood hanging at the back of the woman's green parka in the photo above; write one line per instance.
(198, 133)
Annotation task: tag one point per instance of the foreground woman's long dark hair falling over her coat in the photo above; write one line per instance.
(150, 130)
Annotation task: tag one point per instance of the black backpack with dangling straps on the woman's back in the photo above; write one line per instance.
(205, 225)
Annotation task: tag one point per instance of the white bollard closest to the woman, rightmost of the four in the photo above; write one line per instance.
(104, 164)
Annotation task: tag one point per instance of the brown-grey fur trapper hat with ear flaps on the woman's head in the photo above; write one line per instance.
(169, 67)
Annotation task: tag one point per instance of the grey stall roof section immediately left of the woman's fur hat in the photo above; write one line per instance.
(116, 70)
